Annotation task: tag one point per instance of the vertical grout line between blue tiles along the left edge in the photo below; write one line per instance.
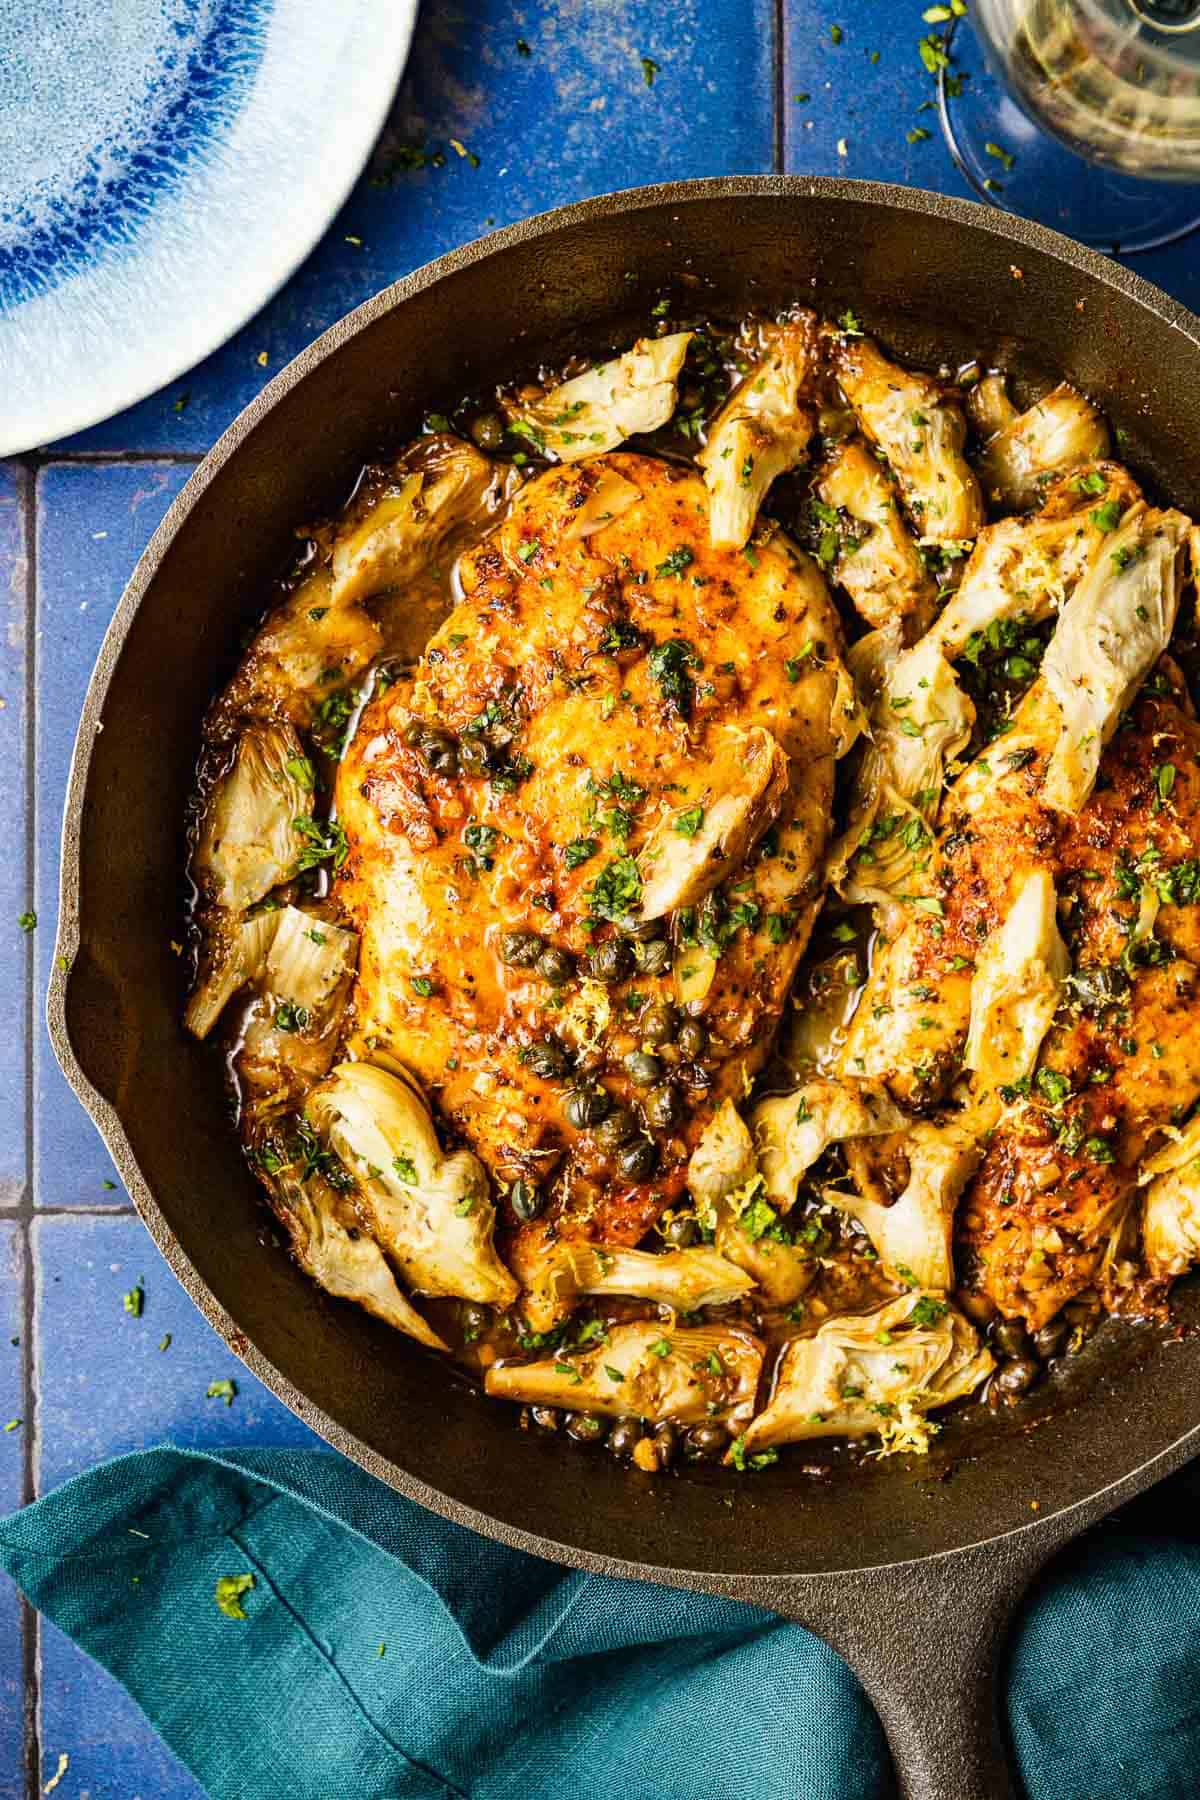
(31, 1632)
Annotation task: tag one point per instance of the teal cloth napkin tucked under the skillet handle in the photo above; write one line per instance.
(388, 1655)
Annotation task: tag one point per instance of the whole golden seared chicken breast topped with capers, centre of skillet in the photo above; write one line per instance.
(533, 854)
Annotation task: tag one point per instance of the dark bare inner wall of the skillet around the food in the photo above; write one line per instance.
(935, 289)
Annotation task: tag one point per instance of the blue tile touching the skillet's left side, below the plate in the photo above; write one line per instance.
(94, 521)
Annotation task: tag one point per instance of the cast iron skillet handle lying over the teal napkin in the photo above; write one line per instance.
(926, 1641)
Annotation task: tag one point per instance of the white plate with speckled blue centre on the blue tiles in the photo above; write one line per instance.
(165, 166)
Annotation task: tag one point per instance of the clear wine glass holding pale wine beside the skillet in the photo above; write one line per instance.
(1082, 114)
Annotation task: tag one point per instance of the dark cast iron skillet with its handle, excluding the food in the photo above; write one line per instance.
(911, 1576)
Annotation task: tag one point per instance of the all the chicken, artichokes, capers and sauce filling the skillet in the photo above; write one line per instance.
(587, 1029)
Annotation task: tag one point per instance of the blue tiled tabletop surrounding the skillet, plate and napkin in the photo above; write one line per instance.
(571, 118)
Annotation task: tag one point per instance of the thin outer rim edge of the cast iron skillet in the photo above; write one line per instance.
(1055, 1525)
